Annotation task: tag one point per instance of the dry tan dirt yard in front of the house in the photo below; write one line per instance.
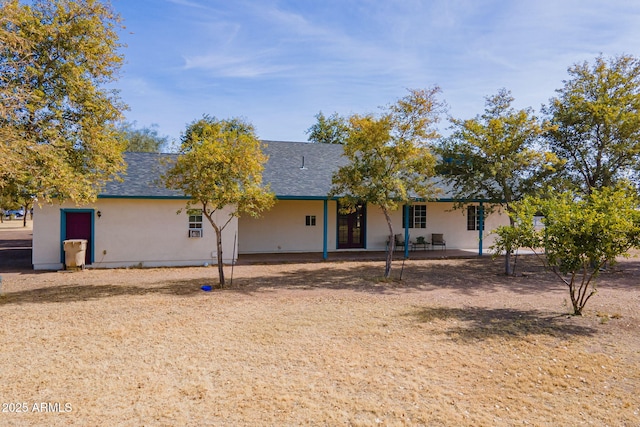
(327, 344)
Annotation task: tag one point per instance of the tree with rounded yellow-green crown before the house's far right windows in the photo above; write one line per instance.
(496, 156)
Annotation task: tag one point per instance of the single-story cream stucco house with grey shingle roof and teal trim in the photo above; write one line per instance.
(135, 222)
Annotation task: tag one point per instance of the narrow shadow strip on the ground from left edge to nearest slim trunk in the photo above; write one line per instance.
(77, 292)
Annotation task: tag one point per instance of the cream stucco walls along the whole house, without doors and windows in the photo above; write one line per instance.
(148, 232)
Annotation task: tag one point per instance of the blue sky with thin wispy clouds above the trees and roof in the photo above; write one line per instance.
(278, 63)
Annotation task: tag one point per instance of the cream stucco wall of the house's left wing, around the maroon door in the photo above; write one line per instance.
(133, 232)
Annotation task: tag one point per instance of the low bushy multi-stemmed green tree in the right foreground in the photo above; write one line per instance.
(581, 234)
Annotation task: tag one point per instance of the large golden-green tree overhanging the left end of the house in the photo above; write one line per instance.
(57, 122)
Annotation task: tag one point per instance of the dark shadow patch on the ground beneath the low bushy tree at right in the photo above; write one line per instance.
(477, 323)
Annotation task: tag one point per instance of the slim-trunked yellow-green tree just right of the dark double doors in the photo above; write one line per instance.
(390, 162)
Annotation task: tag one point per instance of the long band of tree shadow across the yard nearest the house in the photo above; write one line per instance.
(465, 276)
